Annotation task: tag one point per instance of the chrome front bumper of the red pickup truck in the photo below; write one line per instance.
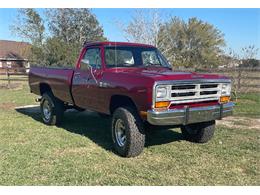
(189, 115)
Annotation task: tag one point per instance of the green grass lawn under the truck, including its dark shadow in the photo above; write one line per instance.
(79, 152)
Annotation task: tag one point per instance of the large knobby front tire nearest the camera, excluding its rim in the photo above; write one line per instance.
(134, 131)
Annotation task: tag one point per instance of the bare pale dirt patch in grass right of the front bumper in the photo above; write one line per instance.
(240, 122)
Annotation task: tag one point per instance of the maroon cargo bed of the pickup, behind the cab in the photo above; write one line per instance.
(58, 79)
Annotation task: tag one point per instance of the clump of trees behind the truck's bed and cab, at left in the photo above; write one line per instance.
(68, 29)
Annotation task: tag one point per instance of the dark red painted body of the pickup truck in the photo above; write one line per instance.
(83, 91)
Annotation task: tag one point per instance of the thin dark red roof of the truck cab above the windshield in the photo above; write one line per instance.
(113, 43)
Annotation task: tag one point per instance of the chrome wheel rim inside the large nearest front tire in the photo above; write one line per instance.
(120, 133)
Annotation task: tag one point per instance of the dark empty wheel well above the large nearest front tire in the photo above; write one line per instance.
(121, 101)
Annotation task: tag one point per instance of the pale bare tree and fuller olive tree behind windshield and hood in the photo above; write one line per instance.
(191, 44)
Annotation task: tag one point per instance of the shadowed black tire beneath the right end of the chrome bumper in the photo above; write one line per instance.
(199, 132)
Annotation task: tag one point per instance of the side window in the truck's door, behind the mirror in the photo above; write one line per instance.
(91, 58)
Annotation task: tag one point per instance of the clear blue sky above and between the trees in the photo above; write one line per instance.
(241, 27)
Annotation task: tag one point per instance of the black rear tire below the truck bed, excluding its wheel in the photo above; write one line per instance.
(56, 111)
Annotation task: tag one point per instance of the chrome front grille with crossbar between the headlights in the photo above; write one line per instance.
(181, 93)
